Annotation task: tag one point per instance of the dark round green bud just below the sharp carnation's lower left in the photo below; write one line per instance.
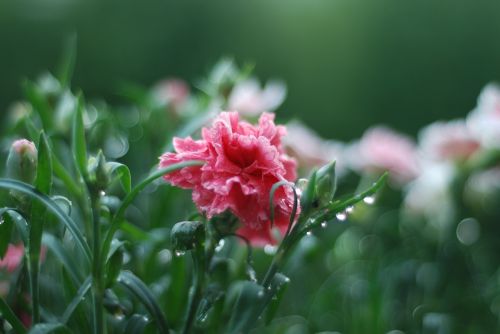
(187, 235)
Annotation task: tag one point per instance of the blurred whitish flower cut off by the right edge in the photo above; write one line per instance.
(484, 121)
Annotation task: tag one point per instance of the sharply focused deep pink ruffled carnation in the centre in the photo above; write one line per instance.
(243, 162)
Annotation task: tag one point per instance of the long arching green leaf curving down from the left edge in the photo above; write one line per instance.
(52, 207)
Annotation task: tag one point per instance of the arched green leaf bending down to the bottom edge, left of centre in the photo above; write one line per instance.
(133, 284)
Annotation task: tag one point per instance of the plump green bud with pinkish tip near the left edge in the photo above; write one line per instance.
(22, 161)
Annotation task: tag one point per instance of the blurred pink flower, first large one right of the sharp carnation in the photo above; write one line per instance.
(382, 149)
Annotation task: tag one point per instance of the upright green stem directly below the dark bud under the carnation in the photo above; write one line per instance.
(196, 289)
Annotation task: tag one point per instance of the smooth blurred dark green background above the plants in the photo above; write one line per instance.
(348, 64)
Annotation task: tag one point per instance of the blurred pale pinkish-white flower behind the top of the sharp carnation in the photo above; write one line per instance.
(248, 98)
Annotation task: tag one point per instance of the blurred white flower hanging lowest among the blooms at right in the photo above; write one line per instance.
(430, 194)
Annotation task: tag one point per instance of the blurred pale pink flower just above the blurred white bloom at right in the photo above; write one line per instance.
(447, 141)
